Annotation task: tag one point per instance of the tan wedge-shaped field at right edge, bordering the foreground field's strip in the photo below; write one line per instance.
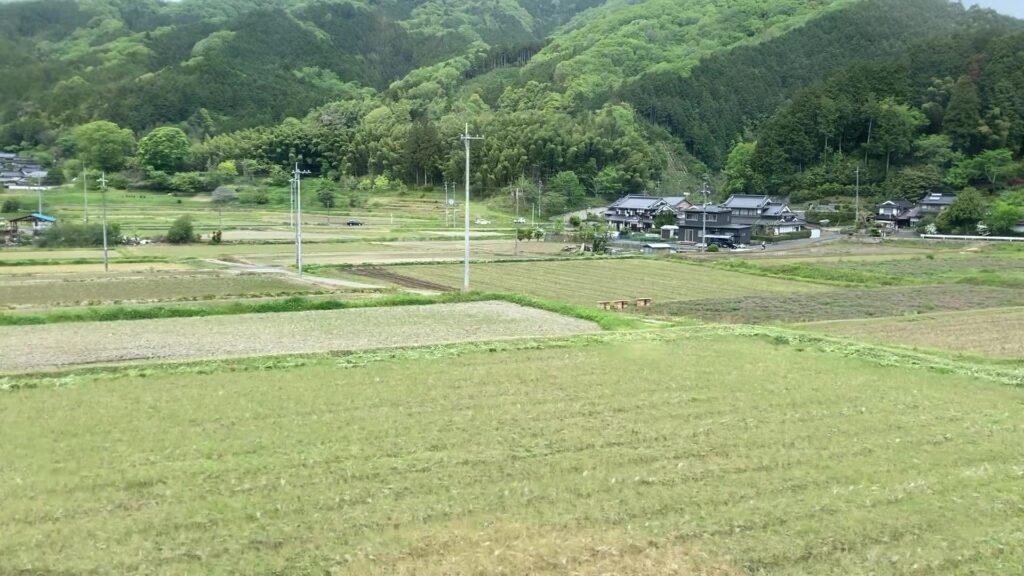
(990, 333)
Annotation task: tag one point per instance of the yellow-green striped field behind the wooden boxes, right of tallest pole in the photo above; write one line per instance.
(586, 282)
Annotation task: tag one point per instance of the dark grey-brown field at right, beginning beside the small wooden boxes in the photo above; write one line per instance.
(843, 304)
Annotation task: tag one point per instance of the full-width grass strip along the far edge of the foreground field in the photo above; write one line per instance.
(880, 355)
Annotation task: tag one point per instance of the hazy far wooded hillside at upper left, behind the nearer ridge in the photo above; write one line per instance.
(246, 63)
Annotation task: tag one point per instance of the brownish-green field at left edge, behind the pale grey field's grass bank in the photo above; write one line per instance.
(82, 290)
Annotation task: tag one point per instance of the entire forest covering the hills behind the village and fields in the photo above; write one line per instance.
(587, 98)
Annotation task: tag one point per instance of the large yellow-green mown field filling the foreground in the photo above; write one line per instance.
(753, 456)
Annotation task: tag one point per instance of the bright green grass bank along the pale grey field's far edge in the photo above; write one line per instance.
(607, 320)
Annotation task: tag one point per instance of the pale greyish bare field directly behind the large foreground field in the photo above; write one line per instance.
(29, 348)
